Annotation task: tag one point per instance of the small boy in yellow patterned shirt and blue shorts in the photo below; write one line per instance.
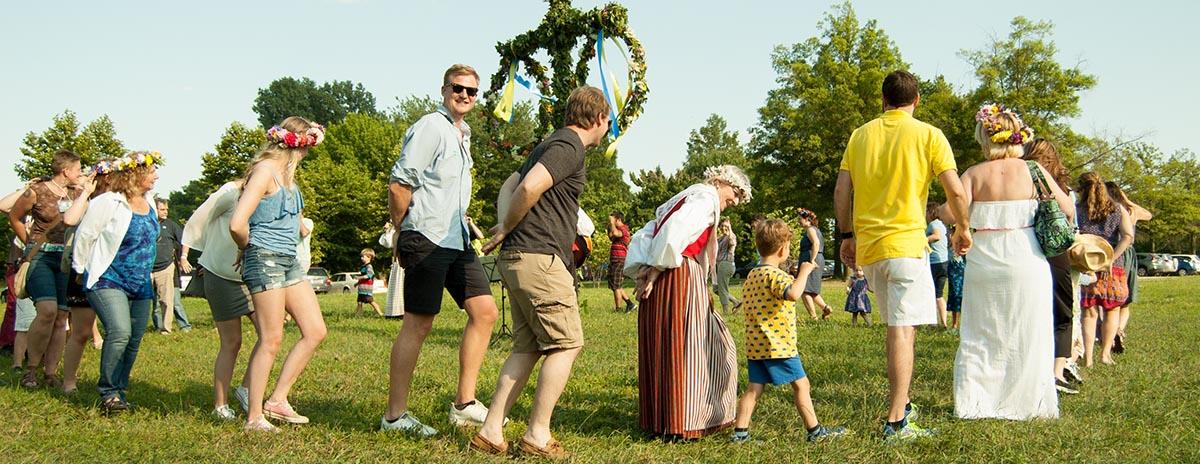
(770, 308)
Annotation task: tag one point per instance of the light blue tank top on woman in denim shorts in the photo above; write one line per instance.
(275, 225)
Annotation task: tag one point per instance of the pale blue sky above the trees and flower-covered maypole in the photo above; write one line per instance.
(175, 75)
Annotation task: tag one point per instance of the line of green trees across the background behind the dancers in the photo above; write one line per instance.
(826, 87)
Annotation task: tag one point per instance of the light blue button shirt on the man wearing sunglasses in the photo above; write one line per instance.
(436, 164)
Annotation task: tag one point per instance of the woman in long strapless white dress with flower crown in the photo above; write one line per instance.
(1006, 349)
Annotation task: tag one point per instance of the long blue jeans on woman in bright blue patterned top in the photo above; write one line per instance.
(125, 322)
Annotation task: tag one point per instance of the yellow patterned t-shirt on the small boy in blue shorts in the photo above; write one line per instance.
(771, 320)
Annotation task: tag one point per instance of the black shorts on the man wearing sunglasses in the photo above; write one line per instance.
(429, 269)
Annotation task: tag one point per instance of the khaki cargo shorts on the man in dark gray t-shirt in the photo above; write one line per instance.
(545, 311)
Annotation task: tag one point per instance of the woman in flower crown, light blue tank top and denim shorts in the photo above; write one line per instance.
(267, 226)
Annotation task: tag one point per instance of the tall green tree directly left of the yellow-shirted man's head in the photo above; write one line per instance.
(829, 86)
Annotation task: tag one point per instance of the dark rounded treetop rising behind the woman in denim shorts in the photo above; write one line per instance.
(327, 104)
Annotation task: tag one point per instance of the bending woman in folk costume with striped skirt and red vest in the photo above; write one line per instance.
(687, 365)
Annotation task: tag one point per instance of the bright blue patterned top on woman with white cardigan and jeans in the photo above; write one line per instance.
(130, 272)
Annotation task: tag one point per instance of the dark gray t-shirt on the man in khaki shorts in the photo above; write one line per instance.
(550, 227)
